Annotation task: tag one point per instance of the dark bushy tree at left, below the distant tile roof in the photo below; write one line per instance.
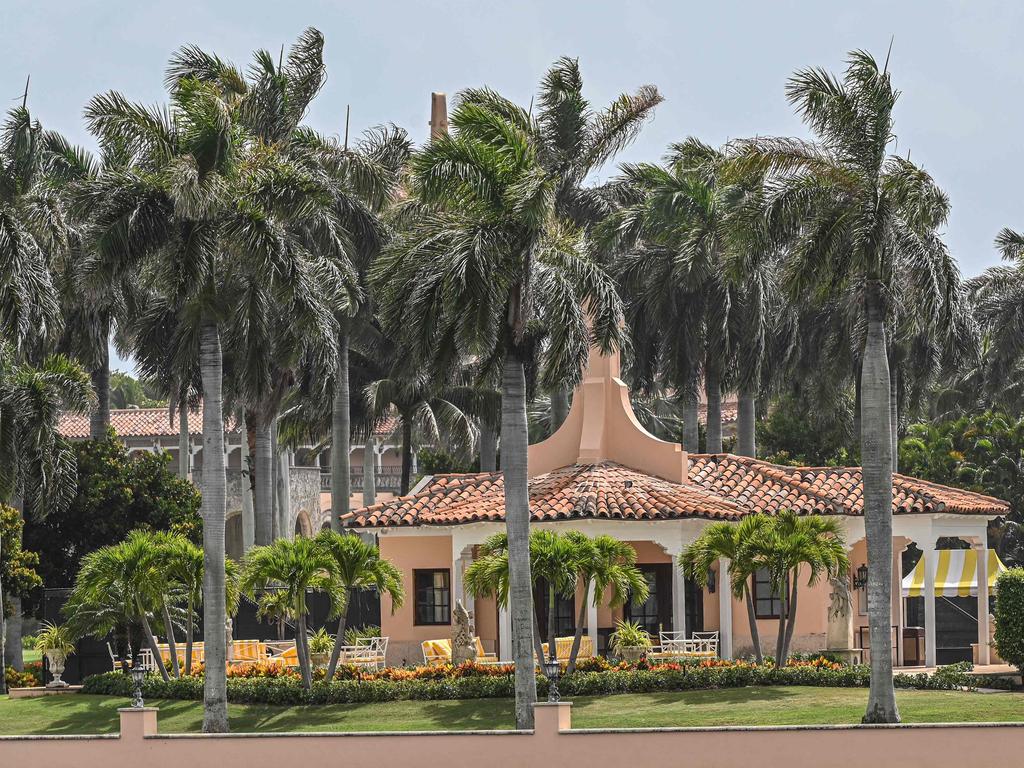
(116, 494)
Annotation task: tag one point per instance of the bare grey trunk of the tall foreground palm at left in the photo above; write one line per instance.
(214, 510)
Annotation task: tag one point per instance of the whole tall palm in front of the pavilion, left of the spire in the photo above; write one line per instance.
(486, 268)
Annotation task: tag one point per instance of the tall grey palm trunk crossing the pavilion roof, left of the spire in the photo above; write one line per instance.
(515, 444)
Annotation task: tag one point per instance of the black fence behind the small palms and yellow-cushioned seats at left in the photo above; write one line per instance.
(94, 657)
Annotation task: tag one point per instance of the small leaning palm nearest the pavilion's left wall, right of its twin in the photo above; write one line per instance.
(358, 566)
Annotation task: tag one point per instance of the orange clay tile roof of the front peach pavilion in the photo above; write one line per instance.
(723, 488)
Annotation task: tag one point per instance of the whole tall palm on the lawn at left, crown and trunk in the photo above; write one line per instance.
(203, 205)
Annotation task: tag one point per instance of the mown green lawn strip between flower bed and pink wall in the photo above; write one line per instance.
(789, 706)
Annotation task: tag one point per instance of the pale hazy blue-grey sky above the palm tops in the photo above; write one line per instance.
(722, 68)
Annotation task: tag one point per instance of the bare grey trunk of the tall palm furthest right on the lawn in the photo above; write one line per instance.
(878, 462)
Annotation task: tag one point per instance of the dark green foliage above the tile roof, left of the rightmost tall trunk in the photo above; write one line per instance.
(800, 434)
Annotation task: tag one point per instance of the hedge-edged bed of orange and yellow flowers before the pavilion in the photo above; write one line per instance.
(267, 685)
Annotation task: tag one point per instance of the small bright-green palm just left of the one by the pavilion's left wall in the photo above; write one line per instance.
(295, 568)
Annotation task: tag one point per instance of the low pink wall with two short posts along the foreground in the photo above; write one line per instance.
(552, 744)
